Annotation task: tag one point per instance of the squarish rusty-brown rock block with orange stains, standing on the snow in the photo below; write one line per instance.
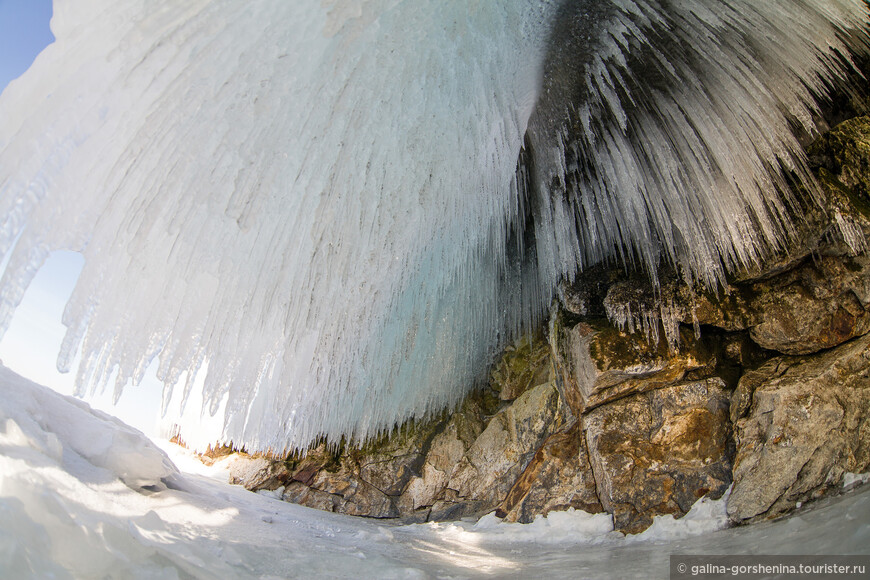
(658, 452)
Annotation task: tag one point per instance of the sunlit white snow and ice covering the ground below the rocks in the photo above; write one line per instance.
(82, 495)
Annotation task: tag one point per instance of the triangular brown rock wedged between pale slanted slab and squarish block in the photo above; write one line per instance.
(559, 477)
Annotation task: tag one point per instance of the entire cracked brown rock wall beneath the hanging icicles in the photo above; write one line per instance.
(639, 400)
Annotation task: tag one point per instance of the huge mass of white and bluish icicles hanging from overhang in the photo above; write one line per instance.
(339, 210)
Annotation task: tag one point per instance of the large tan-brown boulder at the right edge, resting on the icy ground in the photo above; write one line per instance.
(802, 422)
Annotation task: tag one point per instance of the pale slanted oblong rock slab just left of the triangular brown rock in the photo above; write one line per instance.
(499, 455)
